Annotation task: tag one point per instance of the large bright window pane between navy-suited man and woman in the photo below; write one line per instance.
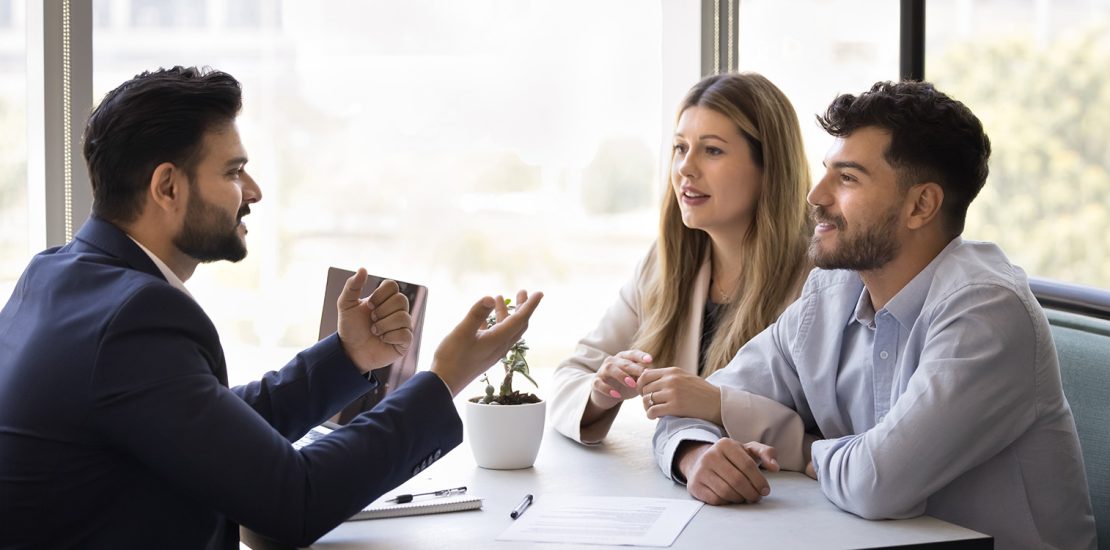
(477, 148)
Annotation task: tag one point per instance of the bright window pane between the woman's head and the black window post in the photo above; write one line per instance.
(836, 48)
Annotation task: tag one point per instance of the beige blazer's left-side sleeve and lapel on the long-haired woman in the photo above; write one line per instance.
(617, 333)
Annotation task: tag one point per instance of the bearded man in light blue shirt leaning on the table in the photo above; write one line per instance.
(916, 374)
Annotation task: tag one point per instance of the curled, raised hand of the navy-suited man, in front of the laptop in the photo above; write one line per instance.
(377, 331)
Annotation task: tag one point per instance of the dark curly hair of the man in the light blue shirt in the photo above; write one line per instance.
(933, 138)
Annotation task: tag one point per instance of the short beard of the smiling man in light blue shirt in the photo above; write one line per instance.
(869, 249)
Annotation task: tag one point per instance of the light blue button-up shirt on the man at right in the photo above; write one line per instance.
(947, 402)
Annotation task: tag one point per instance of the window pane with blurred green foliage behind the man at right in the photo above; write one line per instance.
(1036, 74)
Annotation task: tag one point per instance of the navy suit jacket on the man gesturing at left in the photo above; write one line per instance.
(118, 428)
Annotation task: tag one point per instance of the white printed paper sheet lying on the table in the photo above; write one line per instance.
(603, 521)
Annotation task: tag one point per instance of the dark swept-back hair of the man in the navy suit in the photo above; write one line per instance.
(154, 118)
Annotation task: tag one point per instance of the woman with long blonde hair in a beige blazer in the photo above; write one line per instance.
(730, 257)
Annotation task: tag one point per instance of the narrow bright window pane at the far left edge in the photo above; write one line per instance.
(14, 202)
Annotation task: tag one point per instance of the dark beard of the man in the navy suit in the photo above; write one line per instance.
(210, 234)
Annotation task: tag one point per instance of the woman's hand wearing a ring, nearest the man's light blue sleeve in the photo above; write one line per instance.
(674, 393)
